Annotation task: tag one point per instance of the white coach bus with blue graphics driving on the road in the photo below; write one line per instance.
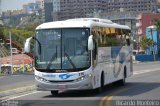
(80, 54)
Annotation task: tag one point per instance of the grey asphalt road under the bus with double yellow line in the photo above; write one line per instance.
(139, 90)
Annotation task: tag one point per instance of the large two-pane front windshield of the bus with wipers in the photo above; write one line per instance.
(62, 49)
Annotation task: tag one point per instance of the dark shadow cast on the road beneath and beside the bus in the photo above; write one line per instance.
(130, 89)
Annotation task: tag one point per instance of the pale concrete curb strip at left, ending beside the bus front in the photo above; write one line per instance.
(17, 90)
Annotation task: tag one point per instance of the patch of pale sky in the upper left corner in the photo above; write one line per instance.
(13, 4)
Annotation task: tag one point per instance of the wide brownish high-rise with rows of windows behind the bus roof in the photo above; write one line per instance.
(90, 8)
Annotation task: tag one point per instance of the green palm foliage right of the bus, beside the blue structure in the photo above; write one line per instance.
(146, 42)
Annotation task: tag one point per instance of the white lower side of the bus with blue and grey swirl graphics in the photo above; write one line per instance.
(112, 61)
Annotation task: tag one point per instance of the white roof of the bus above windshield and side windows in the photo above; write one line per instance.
(81, 22)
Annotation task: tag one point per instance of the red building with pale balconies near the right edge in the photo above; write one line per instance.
(145, 20)
